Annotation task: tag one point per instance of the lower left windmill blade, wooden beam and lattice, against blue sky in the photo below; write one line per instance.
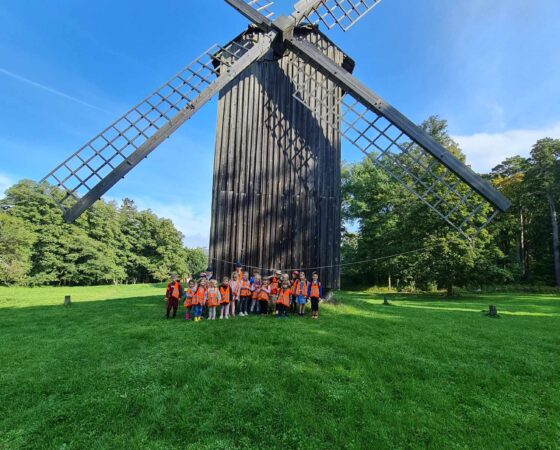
(97, 166)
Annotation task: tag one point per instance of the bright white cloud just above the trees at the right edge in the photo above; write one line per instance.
(486, 150)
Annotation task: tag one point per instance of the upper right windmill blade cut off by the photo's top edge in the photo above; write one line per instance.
(332, 13)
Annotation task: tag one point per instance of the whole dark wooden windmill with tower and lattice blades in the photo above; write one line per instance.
(287, 99)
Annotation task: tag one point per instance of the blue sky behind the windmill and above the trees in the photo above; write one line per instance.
(491, 68)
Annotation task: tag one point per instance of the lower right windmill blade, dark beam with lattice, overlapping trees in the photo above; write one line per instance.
(405, 151)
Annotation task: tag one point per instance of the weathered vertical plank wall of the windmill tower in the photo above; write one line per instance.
(276, 193)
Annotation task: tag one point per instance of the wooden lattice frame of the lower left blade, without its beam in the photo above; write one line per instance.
(78, 174)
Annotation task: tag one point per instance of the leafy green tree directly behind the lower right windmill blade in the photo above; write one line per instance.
(392, 221)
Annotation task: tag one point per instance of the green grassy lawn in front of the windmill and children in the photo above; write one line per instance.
(110, 372)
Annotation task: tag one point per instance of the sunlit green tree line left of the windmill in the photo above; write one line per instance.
(109, 243)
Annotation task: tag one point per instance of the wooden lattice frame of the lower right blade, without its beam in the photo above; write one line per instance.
(395, 152)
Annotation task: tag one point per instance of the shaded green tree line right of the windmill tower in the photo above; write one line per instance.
(520, 246)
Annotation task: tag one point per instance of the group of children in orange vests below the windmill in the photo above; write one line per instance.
(240, 295)
